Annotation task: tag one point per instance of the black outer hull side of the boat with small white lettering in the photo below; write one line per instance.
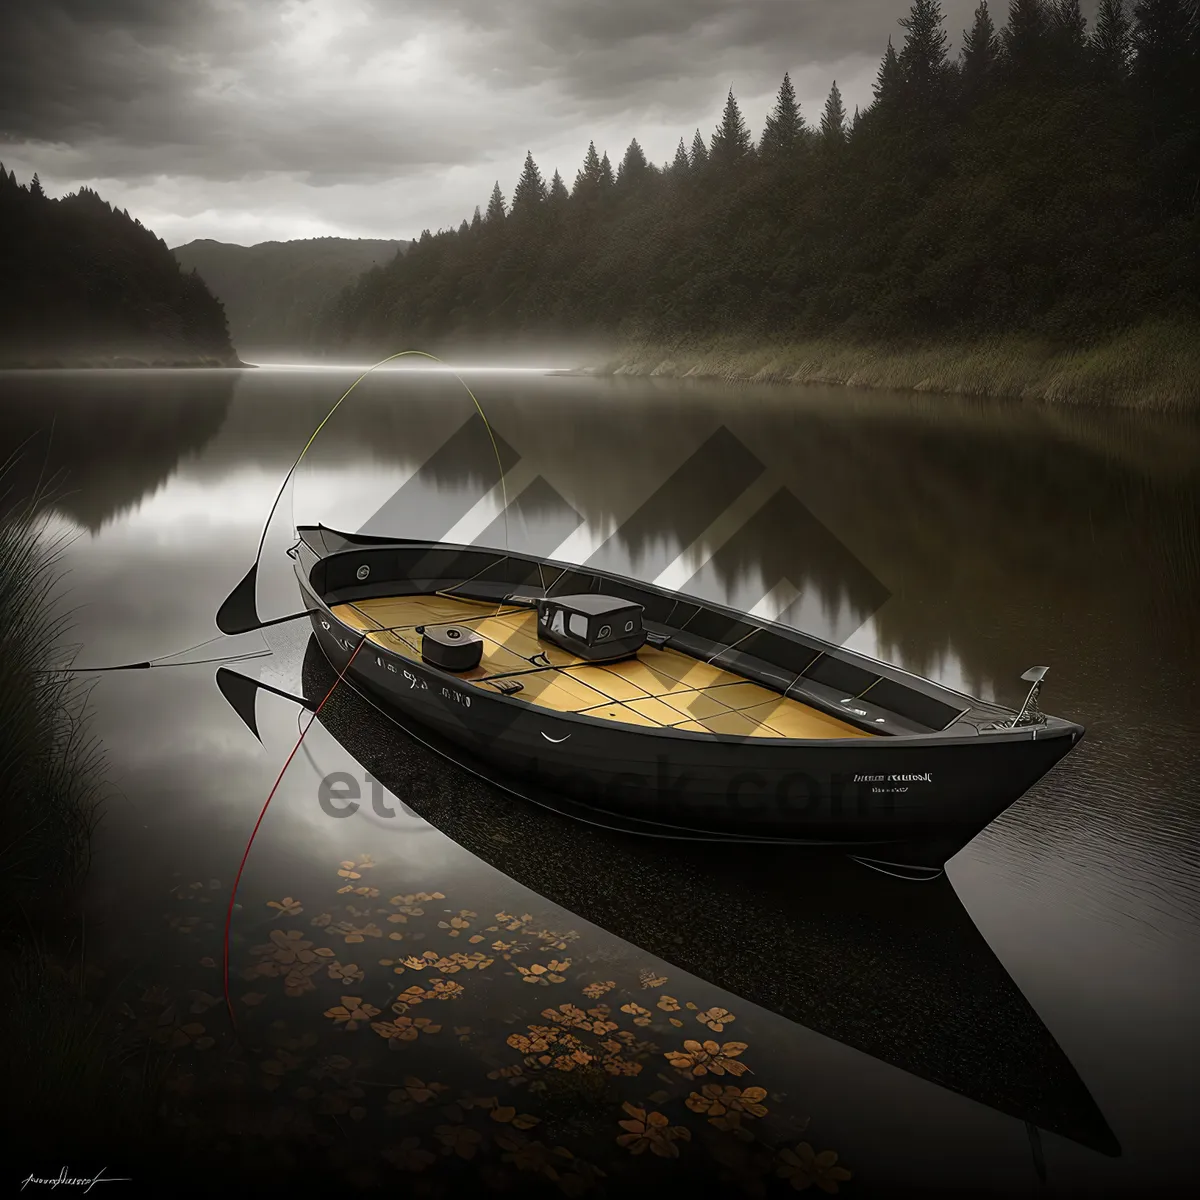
(907, 801)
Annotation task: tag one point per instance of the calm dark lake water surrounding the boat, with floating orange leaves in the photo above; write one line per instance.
(923, 1033)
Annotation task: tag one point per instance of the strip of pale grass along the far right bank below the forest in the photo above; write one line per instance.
(1155, 368)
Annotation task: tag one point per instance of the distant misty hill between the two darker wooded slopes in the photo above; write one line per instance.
(274, 292)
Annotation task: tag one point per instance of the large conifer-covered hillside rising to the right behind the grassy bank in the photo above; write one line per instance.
(1046, 182)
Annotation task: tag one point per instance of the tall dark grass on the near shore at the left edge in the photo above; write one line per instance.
(71, 1084)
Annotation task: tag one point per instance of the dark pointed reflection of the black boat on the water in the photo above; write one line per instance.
(897, 970)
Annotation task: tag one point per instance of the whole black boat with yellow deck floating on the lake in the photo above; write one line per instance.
(670, 715)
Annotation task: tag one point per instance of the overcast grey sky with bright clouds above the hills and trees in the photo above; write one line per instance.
(253, 121)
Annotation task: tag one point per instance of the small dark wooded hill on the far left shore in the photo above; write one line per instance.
(86, 284)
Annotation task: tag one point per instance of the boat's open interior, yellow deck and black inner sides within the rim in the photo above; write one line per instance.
(704, 669)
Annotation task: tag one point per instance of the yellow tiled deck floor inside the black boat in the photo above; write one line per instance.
(661, 688)
